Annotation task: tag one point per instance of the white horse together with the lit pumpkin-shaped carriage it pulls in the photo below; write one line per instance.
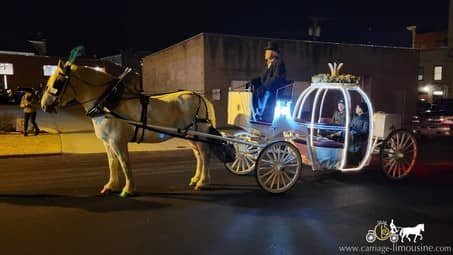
(299, 135)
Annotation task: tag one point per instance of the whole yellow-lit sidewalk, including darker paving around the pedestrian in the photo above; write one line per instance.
(69, 131)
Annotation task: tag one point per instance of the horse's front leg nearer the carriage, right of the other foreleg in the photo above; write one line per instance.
(120, 149)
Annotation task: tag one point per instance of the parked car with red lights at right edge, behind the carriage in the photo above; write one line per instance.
(437, 120)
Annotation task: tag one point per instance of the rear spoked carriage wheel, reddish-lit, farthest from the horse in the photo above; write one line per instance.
(398, 154)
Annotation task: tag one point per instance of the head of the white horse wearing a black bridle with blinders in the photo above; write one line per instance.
(56, 92)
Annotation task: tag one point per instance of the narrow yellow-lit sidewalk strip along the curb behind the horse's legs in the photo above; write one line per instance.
(76, 143)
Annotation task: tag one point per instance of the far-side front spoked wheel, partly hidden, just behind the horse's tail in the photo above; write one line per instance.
(246, 156)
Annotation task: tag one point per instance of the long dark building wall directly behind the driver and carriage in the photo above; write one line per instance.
(390, 72)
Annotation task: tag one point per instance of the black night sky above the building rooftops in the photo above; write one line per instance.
(106, 27)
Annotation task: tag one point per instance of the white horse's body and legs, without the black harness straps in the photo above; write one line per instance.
(86, 85)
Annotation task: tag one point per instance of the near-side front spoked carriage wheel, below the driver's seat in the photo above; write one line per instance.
(278, 167)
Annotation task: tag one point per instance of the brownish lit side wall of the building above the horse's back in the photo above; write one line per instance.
(180, 66)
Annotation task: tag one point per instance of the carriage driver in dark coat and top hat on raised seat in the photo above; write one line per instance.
(265, 86)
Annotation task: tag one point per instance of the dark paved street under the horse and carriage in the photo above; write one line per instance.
(49, 205)
